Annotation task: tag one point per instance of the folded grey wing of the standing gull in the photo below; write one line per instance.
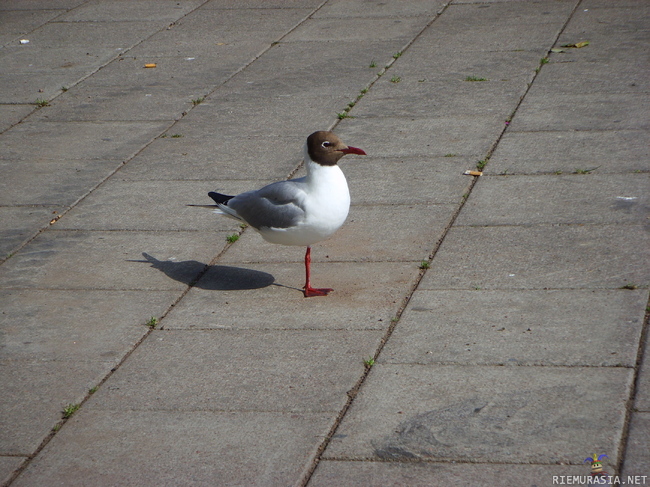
(277, 205)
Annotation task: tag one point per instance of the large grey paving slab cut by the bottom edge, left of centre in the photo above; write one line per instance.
(115, 448)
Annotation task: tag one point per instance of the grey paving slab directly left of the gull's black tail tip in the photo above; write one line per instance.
(148, 205)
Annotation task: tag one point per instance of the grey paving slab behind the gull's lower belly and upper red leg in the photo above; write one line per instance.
(412, 230)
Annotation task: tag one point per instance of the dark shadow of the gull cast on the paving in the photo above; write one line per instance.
(210, 277)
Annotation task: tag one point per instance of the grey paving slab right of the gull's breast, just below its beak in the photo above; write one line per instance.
(380, 181)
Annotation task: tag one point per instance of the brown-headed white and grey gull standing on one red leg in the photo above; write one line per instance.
(300, 211)
